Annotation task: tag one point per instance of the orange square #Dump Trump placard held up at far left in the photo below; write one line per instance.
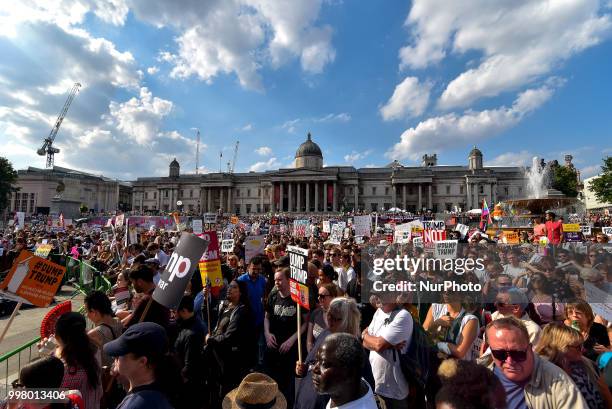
(33, 279)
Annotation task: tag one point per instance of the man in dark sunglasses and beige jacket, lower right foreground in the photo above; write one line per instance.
(529, 381)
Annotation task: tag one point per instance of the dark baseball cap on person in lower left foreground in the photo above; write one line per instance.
(144, 338)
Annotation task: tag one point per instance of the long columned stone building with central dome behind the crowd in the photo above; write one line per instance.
(310, 187)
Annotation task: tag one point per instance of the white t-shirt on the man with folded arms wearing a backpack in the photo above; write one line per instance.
(388, 376)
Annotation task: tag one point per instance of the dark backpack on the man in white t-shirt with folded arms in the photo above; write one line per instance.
(420, 362)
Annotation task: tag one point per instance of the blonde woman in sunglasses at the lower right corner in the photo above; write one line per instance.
(563, 345)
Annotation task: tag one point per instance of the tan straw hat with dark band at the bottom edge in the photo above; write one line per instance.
(255, 390)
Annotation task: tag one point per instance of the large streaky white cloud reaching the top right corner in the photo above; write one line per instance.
(520, 41)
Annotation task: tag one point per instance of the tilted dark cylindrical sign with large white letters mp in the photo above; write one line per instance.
(181, 266)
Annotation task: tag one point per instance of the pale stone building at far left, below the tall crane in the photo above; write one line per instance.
(44, 191)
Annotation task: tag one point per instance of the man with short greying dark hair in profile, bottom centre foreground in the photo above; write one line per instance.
(337, 373)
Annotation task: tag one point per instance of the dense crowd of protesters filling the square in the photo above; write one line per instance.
(531, 337)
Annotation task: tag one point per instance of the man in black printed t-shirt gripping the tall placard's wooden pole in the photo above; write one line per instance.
(281, 336)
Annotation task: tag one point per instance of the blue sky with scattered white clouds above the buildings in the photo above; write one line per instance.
(372, 81)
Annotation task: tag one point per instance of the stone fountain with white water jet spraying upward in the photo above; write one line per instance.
(541, 196)
